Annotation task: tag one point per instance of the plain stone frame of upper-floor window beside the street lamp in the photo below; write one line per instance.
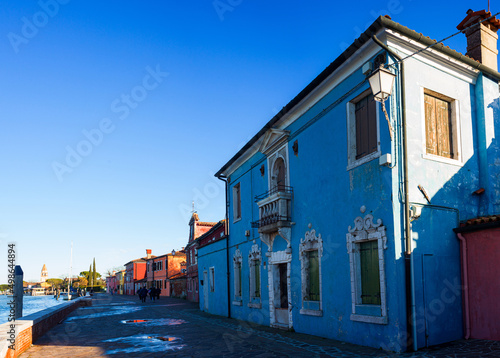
(352, 162)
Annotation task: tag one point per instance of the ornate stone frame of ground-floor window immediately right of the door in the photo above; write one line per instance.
(310, 242)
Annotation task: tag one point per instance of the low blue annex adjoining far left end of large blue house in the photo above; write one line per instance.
(212, 269)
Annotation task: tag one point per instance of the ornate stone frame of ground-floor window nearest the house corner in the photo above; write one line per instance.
(366, 230)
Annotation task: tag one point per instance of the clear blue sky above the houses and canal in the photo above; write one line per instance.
(84, 66)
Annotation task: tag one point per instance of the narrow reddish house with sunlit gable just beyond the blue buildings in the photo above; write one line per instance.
(196, 230)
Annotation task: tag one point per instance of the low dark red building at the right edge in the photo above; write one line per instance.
(480, 254)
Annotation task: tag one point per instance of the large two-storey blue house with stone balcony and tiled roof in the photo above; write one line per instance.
(341, 209)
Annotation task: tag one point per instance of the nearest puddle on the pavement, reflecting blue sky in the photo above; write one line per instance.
(146, 343)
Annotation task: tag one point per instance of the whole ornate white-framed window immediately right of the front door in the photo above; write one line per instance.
(310, 253)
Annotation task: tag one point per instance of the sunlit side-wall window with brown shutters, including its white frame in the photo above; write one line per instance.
(441, 127)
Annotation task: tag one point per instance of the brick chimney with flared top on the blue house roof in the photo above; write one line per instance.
(481, 39)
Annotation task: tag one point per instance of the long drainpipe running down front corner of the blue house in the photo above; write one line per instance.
(410, 288)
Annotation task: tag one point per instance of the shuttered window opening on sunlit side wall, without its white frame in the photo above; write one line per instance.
(440, 125)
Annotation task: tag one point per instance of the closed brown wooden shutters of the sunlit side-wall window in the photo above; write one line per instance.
(438, 127)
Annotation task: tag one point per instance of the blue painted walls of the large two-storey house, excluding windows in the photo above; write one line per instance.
(329, 197)
